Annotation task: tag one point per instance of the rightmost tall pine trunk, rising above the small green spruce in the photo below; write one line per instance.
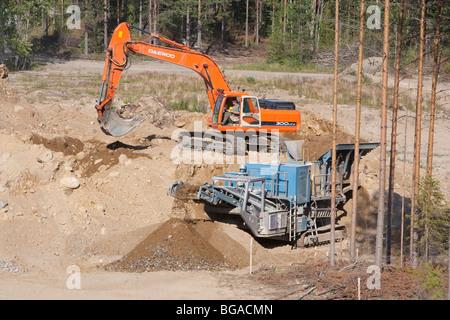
(433, 92)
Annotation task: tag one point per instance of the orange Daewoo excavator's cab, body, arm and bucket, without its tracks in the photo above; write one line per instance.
(230, 110)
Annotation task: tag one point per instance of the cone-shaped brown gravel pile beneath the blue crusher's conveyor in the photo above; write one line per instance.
(174, 246)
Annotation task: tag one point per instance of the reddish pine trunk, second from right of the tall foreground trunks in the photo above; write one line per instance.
(417, 142)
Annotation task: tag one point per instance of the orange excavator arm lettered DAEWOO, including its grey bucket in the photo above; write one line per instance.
(117, 59)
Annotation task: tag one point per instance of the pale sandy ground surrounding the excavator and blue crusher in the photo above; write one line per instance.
(76, 197)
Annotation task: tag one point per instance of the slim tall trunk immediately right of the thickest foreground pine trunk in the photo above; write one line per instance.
(390, 205)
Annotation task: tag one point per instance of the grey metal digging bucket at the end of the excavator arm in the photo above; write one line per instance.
(115, 125)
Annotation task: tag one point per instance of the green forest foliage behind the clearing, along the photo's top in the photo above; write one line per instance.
(294, 32)
